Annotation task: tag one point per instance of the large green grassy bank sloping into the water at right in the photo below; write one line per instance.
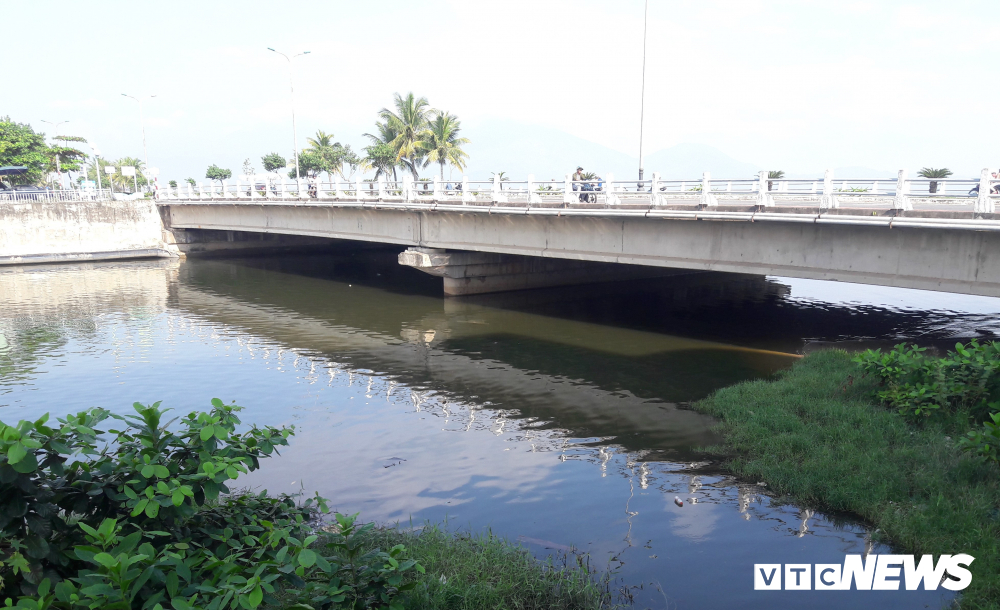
(816, 433)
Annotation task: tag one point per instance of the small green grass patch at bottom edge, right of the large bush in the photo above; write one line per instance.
(485, 571)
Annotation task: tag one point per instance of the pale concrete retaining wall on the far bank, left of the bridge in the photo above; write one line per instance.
(43, 232)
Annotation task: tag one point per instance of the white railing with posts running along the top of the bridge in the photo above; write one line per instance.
(607, 192)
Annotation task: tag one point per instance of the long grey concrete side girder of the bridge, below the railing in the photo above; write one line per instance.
(934, 258)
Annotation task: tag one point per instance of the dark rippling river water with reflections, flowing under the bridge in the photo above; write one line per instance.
(557, 417)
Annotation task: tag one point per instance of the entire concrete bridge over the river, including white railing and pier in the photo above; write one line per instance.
(502, 236)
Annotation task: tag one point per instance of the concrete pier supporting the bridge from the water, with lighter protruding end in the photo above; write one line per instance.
(465, 272)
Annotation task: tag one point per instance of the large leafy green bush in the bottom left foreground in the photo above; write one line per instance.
(148, 521)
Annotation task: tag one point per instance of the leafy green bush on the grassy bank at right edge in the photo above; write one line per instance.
(921, 386)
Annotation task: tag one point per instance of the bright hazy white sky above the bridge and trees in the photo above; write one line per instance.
(800, 86)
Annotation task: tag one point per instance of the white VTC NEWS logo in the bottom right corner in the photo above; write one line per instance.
(878, 573)
